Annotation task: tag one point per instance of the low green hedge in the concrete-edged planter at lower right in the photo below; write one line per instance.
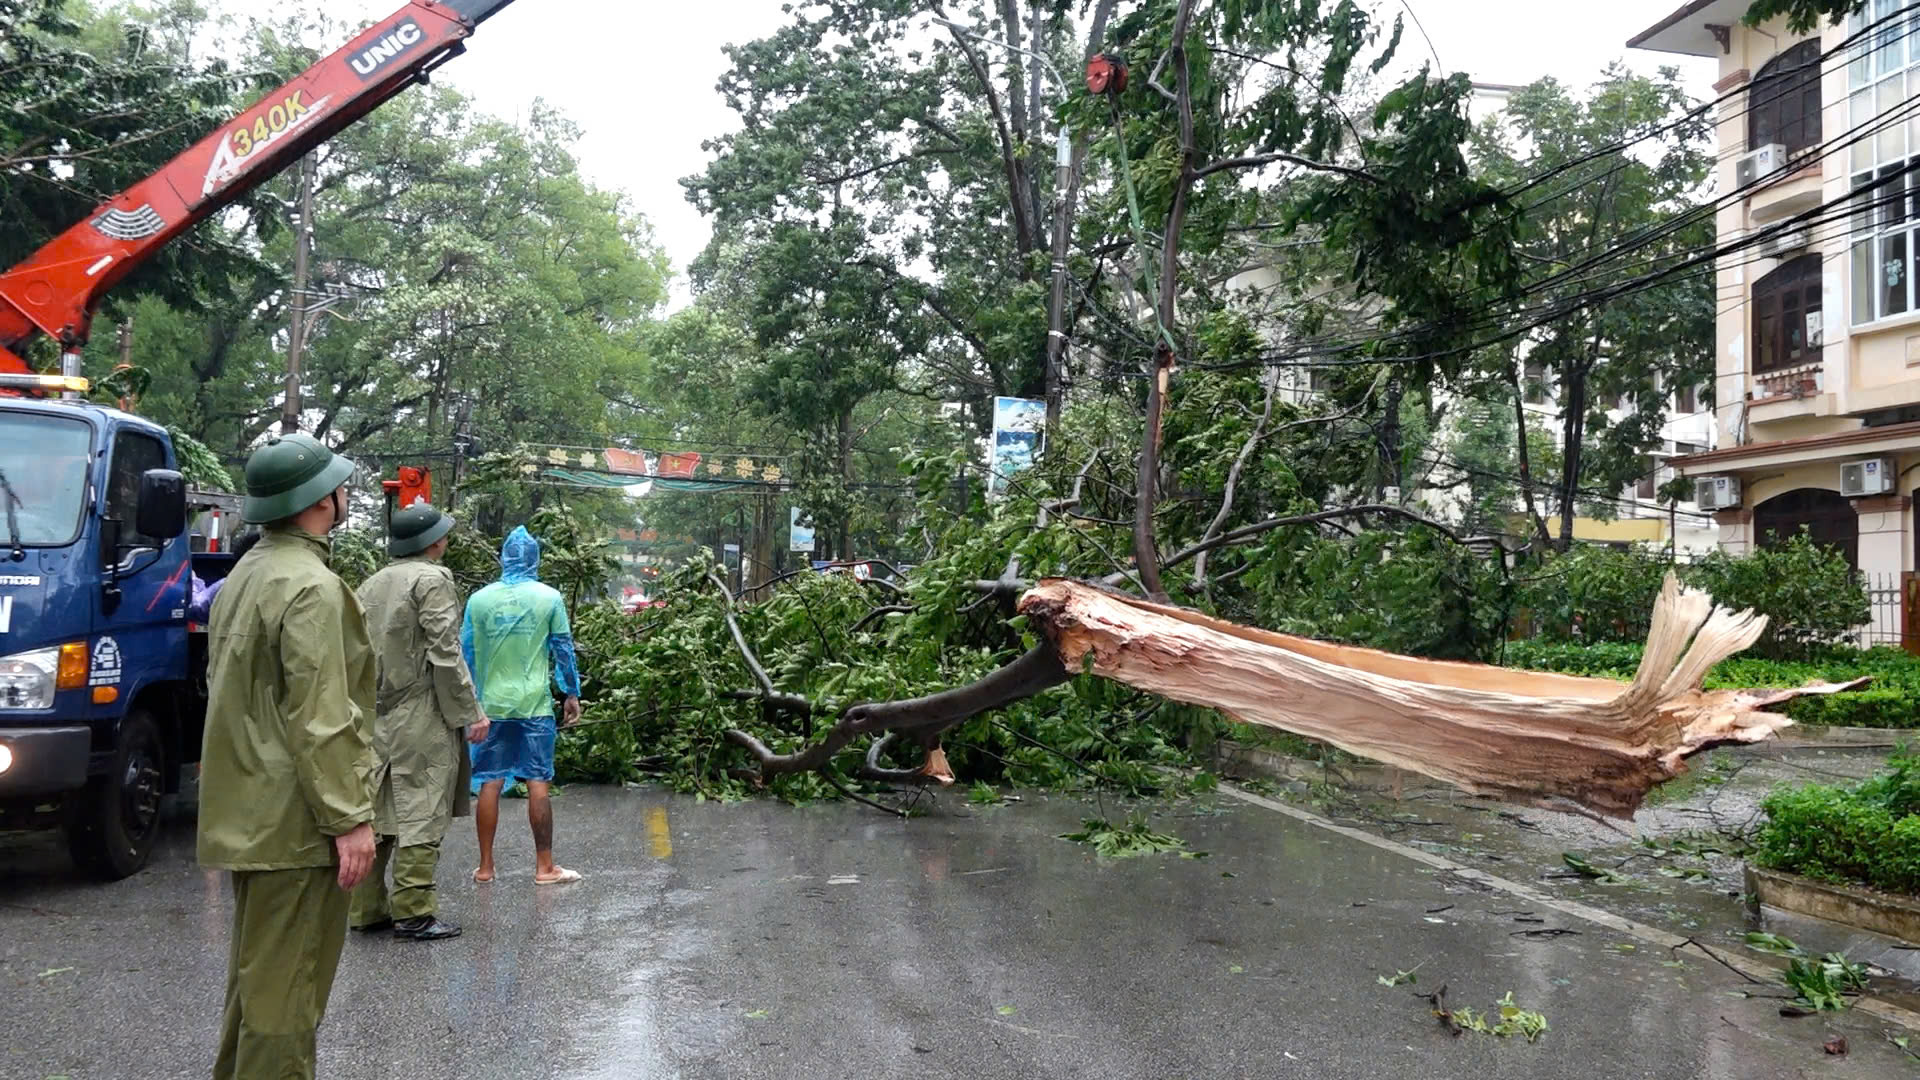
(1863, 835)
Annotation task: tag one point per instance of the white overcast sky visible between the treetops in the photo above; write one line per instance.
(638, 76)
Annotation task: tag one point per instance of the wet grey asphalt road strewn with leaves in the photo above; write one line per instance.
(828, 943)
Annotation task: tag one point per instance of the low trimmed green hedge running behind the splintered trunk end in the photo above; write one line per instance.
(1890, 702)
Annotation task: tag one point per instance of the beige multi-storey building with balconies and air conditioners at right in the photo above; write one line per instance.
(1817, 391)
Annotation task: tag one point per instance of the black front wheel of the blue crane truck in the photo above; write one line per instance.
(114, 820)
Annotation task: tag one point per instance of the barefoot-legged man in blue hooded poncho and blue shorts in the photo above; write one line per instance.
(514, 631)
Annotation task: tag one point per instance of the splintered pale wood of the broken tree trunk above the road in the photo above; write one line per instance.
(1516, 735)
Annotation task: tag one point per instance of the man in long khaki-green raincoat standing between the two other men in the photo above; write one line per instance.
(427, 708)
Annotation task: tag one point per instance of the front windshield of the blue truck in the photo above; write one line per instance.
(45, 464)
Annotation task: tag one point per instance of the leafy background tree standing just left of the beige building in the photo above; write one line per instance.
(1635, 351)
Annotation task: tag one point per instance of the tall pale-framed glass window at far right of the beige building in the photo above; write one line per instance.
(1883, 78)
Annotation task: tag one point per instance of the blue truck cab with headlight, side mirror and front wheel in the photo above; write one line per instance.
(101, 704)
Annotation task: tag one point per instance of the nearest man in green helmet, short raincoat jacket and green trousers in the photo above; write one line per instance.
(287, 764)
